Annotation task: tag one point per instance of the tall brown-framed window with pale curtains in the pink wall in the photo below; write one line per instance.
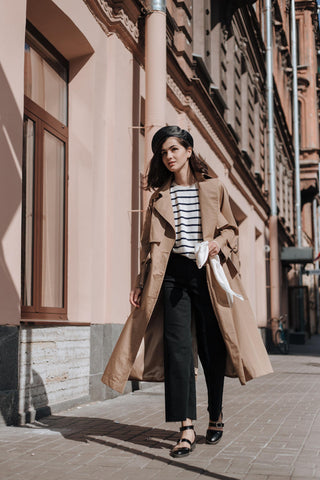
(44, 207)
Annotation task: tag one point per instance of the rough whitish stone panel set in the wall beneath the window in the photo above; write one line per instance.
(54, 369)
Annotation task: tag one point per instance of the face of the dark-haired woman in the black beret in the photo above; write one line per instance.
(175, 156)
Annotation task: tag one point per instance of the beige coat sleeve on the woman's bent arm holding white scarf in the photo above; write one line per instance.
(227, 229)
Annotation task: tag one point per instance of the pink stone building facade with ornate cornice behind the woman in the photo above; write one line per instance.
(72, 143)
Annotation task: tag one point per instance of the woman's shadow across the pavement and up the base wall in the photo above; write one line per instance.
(138, 440)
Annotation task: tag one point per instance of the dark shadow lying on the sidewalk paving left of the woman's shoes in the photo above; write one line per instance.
(87, 429)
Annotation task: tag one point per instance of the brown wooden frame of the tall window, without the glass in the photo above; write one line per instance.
(44, 121)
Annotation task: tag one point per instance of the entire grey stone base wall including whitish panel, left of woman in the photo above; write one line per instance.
(59, 368)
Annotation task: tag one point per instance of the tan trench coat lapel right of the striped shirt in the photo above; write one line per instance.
(209, 203)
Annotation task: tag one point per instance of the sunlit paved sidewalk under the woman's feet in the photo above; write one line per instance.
(272, 432)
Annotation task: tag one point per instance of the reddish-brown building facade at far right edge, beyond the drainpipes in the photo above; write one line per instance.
(307, 25)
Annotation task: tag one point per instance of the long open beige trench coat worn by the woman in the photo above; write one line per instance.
(138, 353)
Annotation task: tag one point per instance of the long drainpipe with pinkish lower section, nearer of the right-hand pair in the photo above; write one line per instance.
(273, 221)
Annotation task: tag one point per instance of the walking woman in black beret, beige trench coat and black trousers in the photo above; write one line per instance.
(173, 298)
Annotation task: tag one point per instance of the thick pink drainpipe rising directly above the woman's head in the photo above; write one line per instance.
(156, 74)
